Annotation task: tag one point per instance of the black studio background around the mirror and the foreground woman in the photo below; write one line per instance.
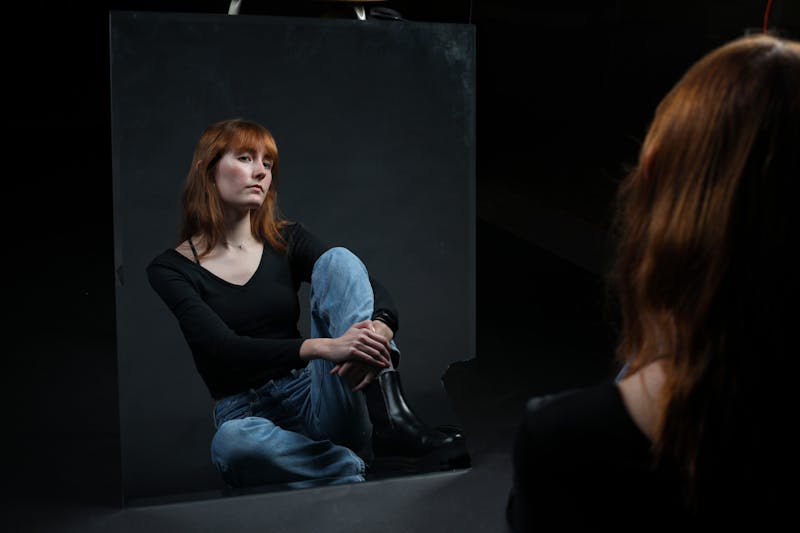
(564, 94)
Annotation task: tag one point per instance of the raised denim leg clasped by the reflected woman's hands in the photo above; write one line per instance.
(341, 296)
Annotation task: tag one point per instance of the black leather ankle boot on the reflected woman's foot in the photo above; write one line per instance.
(398, 432)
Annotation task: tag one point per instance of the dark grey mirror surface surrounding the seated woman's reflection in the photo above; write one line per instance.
(374, 122)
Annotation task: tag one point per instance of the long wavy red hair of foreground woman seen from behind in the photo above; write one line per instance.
(708, 224)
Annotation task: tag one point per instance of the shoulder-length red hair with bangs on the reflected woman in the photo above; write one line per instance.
(202, 212)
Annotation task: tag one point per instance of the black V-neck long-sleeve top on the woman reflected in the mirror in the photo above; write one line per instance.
(241, 336)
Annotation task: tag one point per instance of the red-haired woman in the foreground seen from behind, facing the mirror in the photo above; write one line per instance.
(696, 429)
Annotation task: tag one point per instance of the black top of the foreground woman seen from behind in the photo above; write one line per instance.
(580, 463)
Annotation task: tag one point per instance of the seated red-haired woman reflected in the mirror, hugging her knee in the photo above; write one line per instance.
(287, 408)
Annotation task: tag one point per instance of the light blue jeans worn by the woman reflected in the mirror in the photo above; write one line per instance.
(308, 425)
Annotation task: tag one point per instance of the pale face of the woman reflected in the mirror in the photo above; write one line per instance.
(243, 179)
